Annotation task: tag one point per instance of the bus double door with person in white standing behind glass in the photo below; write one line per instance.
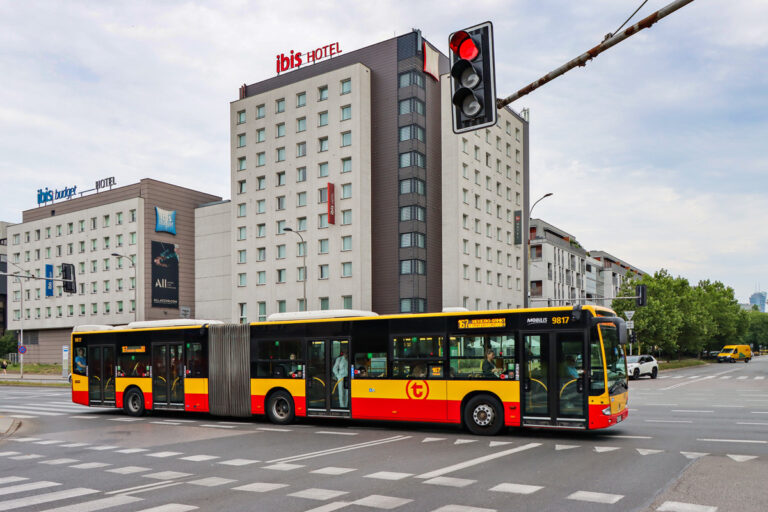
(327, 377)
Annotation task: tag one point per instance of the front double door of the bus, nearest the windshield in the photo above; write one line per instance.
(553, 379)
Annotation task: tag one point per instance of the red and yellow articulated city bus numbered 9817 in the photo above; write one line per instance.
(551, 367)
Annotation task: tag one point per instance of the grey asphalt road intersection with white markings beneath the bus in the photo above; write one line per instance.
(696, 440)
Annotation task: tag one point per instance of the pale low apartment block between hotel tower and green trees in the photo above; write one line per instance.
(564, 273)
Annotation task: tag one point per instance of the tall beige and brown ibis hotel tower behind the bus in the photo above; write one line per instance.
(349, 190)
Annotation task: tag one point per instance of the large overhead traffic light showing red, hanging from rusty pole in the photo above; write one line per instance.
(473, 82)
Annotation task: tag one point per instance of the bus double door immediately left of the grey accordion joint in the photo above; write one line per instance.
(167, 375)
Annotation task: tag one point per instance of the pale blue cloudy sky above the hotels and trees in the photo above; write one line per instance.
(652, 151)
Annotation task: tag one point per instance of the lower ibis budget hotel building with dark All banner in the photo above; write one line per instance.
(134, 256)
